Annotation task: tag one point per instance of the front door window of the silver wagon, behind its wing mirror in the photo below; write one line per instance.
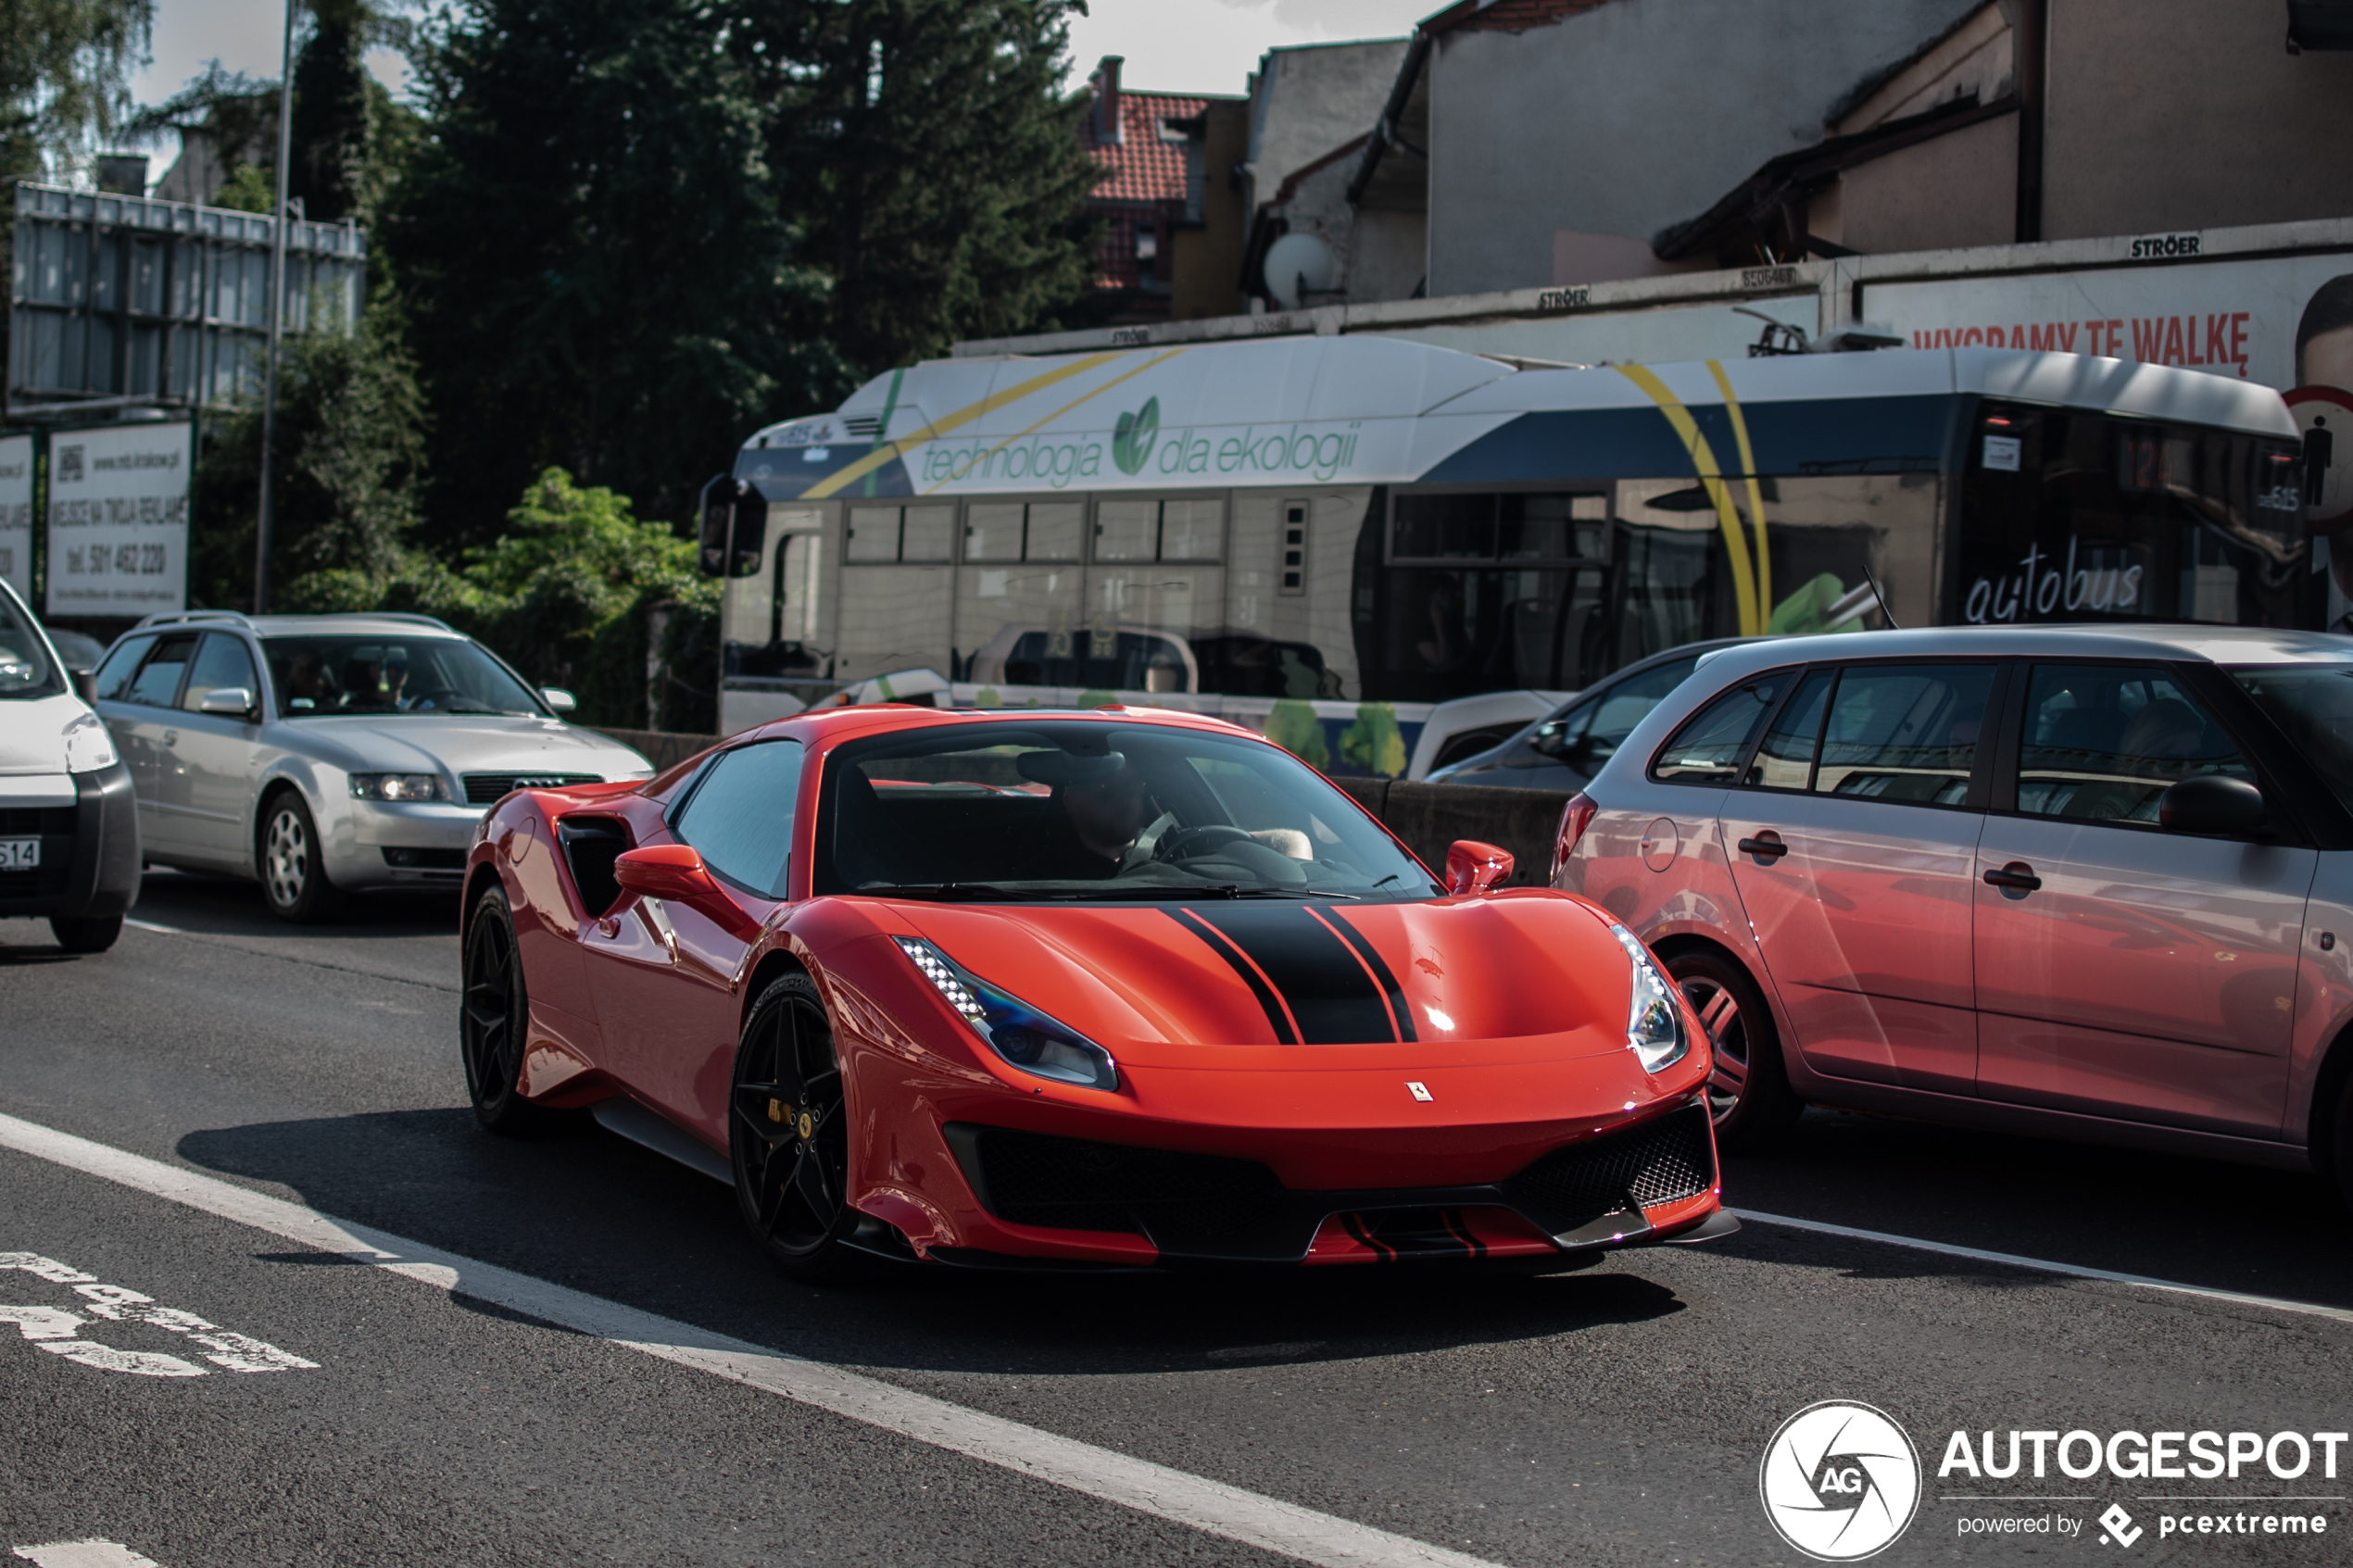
(2105, 742)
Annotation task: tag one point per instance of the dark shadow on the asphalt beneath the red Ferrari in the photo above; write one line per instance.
(604, 1217)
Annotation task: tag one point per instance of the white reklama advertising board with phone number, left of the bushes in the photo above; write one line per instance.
(119, 521)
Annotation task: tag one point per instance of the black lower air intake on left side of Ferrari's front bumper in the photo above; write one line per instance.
(1072, 1184)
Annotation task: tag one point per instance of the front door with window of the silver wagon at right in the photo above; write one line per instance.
(2126, 970)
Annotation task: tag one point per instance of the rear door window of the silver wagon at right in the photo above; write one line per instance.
(1905, 732)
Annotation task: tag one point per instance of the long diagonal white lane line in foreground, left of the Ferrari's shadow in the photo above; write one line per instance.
(1060, 1461)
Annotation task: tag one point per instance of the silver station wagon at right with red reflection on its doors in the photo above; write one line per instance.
(2084, 883)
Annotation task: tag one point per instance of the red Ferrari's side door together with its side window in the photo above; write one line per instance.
(665, 972)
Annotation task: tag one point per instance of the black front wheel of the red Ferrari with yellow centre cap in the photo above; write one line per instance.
(789, 1137)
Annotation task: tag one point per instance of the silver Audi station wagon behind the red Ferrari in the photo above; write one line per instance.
(331, 756)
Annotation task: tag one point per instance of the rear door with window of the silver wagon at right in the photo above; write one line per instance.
(1853, 843)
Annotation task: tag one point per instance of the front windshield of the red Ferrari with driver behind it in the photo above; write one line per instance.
(1072, 810)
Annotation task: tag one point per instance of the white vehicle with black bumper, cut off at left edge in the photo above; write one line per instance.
(69, 833)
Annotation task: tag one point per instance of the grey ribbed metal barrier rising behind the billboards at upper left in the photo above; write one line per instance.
(119, 300)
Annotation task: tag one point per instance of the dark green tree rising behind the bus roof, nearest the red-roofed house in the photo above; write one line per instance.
(931, 161)
